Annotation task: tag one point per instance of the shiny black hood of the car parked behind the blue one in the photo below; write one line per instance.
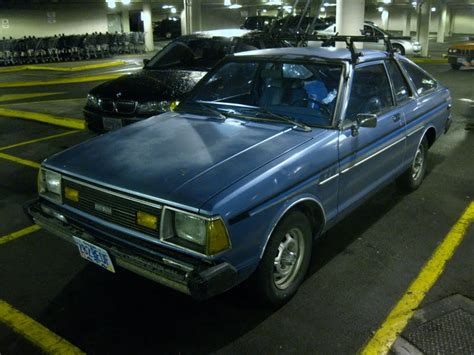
(150, 85)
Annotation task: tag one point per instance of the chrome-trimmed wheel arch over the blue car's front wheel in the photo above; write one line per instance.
(310, 206)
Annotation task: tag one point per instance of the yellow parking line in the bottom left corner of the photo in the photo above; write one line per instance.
(34, 332)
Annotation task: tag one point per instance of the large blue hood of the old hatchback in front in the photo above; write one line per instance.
(179, 159)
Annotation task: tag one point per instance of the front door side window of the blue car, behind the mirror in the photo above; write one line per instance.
(370, 91)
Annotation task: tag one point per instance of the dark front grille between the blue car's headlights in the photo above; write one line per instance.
(120, 209)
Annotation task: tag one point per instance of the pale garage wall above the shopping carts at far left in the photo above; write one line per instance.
(50, 20)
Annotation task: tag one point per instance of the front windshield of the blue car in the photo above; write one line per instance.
(306, 93)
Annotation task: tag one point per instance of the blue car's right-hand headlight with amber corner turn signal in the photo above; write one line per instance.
(197, 233)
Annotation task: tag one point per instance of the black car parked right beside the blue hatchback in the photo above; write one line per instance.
(165, 78)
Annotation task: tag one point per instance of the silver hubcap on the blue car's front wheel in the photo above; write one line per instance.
(288, 259)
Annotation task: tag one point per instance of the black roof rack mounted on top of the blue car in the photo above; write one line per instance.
(301, 40)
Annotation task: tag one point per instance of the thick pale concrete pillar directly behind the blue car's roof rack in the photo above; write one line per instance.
(349, 19)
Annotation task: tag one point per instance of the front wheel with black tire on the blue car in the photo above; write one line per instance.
(285, 261)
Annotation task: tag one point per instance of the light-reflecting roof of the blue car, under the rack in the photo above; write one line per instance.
(332, 53)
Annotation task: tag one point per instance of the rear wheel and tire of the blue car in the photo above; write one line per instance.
(412, 178)
